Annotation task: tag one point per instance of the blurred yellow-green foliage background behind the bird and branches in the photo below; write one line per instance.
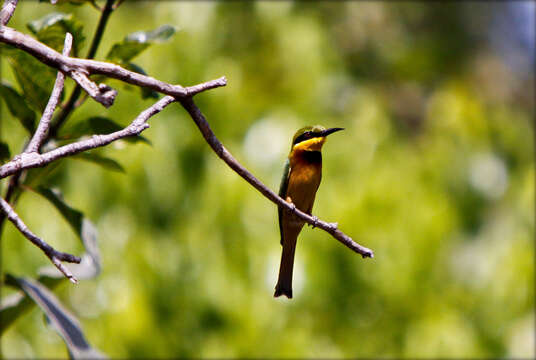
(435, 173)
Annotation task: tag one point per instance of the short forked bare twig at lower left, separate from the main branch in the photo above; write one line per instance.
(54, 255)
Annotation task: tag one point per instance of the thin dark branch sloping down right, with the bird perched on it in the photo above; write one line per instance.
(226, 156)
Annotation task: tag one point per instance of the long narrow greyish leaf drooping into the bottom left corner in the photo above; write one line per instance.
(65, 323)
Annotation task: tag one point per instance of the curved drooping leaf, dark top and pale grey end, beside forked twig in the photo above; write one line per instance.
(89, 267)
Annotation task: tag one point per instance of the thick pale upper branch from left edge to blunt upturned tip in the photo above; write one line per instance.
(71, 65)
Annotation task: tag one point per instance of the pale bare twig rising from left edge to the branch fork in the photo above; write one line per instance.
(32, 160)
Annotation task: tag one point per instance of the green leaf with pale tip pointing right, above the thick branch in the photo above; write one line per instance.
(135, 43)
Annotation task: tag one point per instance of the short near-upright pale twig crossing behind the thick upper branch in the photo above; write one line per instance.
(42, 129)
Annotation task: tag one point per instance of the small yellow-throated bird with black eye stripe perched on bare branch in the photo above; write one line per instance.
(301, 178)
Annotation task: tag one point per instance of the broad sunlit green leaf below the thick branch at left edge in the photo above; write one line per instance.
(35, 78)
